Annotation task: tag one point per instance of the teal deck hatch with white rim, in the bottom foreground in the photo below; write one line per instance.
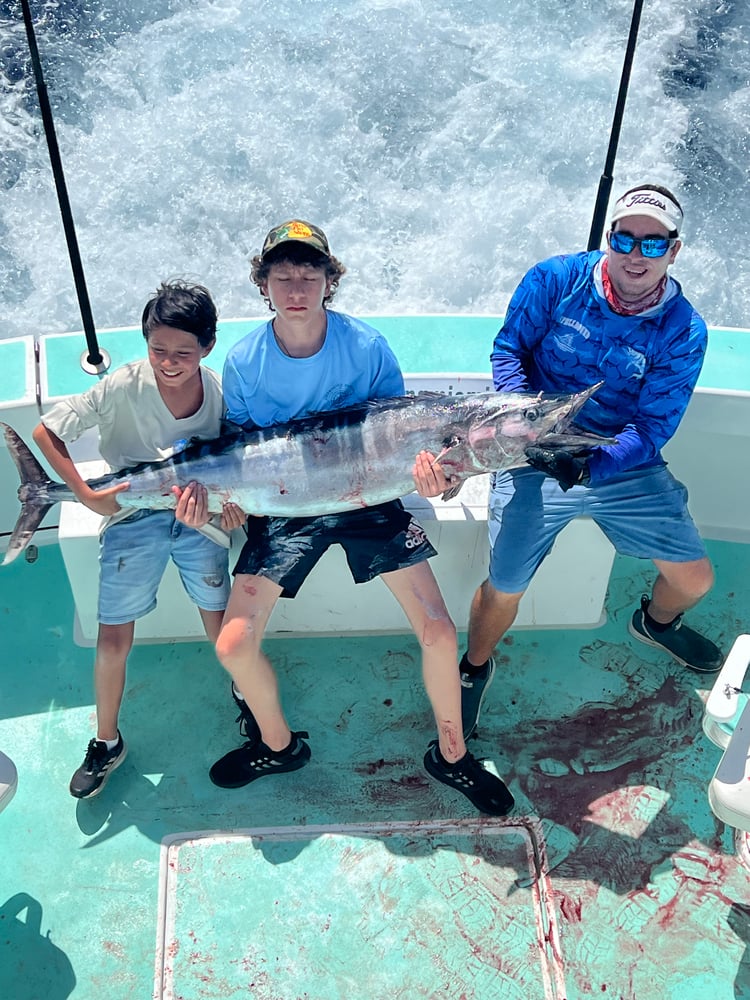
(406, 909)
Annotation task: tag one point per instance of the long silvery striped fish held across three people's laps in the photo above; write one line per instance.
(328, 462)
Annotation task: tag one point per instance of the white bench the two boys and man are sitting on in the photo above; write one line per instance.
(568, 591)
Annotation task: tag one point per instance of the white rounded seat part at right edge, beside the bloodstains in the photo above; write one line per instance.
(726, 722)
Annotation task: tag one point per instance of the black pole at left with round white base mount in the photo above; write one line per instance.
(94, 361)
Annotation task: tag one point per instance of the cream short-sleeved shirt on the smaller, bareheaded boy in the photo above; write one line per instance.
(134, 423)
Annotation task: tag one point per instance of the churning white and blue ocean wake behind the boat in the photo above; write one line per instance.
(444, 145)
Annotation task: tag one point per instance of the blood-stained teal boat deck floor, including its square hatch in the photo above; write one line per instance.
(395, 888)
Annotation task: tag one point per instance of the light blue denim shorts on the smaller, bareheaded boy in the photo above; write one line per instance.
(133, 555)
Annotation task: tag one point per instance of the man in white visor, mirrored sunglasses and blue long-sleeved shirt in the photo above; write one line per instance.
(573, 321)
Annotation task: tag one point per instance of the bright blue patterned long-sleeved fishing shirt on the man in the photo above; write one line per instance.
(560, 335)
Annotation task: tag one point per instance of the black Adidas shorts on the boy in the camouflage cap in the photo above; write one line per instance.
(376, 540)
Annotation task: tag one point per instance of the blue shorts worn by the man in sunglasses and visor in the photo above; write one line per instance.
(643, 513)
